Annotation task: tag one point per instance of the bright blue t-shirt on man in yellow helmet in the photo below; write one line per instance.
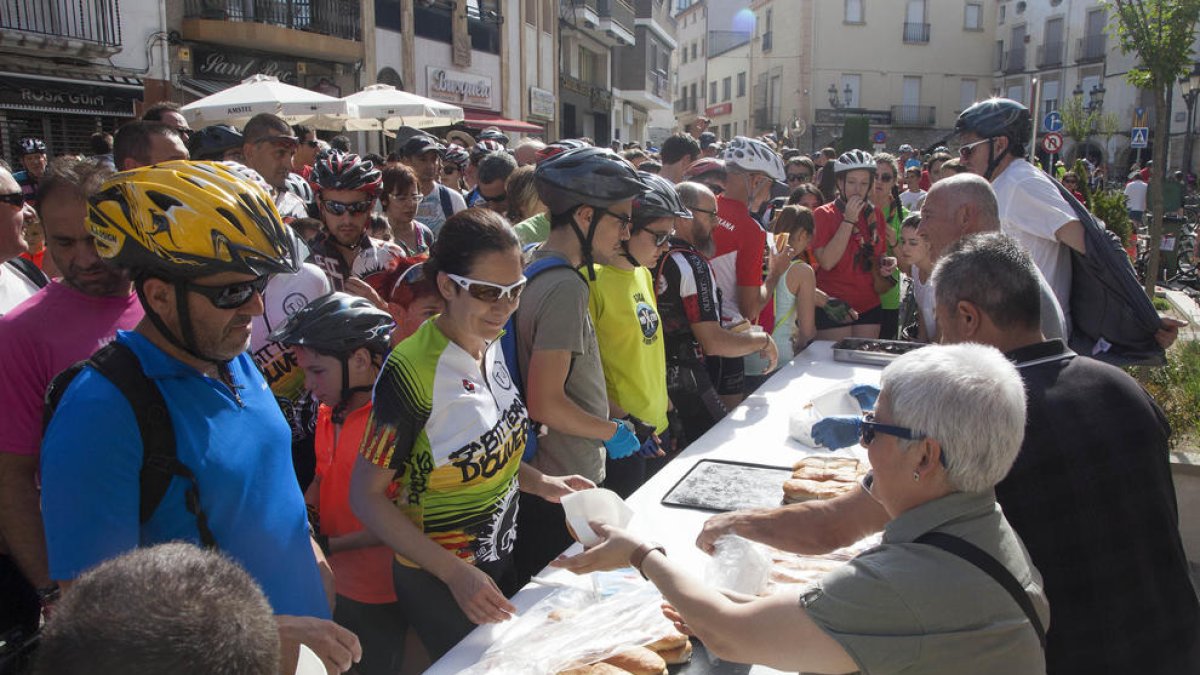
(239, 452)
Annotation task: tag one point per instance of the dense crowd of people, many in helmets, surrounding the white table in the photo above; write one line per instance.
(369, 381)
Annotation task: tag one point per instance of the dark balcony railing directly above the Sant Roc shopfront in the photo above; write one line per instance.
(337, 19)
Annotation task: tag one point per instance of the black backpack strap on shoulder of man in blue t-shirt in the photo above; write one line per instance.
(160, 463)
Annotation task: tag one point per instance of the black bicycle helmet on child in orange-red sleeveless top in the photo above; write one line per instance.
(338, 325)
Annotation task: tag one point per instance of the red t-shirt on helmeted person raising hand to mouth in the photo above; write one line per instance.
(848, 280)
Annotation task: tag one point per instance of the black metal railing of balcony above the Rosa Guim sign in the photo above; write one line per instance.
(98, 22)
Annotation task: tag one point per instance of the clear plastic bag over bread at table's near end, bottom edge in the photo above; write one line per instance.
(574, 628)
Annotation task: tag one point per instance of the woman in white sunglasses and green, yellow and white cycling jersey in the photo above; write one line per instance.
(439, 475)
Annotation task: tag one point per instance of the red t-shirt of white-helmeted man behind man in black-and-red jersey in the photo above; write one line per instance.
(739, 254)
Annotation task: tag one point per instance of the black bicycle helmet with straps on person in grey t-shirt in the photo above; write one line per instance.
(593, 177)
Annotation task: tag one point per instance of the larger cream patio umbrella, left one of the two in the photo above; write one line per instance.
(265, 94)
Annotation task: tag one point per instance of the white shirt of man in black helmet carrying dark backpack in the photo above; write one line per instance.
(1033, 211)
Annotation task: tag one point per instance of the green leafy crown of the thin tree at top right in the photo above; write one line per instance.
(1161, 33)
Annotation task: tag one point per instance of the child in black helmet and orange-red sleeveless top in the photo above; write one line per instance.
(341, 343)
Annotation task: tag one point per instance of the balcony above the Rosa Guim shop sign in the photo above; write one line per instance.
(85, 29)
